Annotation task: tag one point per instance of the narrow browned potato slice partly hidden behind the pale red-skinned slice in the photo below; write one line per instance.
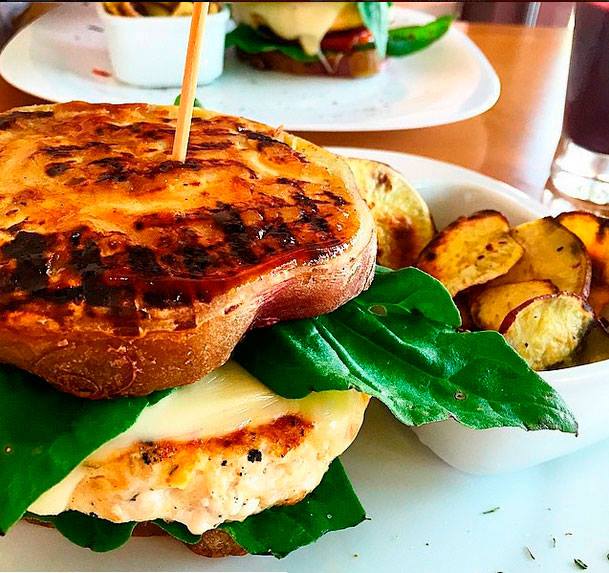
(491, 305)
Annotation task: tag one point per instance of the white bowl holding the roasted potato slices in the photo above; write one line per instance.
(450, 192)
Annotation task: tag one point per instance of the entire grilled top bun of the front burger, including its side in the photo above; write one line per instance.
(124, 272)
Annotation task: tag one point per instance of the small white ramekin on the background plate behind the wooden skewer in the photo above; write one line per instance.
(150, 51)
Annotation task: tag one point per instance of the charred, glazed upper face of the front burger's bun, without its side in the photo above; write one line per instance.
(95, 216)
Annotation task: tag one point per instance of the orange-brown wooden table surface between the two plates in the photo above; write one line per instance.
(513, 142)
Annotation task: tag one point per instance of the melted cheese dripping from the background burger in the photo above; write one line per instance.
(307, 22)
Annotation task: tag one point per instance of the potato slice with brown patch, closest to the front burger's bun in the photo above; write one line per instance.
(403, 222)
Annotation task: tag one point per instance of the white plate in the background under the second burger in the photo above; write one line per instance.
(54, 59)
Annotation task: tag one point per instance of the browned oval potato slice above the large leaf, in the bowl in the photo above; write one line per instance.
(471, 251)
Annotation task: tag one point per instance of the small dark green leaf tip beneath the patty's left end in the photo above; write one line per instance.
(88, 531)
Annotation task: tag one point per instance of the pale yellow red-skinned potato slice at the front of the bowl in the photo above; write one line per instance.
(548, 330)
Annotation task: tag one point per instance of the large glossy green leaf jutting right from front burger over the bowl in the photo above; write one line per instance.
(398, 342)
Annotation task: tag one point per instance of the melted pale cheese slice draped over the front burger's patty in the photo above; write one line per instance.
(226, 400)
